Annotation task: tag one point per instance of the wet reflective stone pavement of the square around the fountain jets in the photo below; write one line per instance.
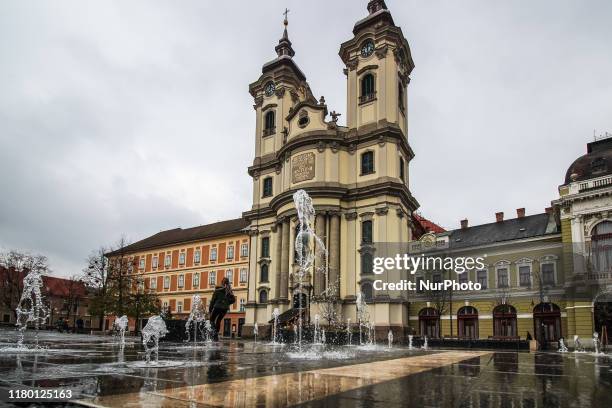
(234, 373)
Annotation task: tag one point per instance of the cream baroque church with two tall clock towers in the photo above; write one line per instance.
(357, 176)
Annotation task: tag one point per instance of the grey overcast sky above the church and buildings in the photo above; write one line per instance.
(131, 117)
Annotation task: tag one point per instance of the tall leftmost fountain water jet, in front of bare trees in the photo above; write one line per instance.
(31, 308)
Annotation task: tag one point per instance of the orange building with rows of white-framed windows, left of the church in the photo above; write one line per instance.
(179, 263)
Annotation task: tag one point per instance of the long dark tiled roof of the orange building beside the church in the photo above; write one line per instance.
(178, 235)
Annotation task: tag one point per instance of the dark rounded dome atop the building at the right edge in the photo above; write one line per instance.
(596, 163)
